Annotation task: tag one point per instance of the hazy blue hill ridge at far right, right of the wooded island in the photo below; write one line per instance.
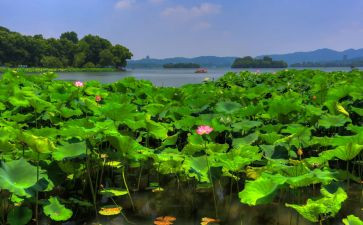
(319, 55)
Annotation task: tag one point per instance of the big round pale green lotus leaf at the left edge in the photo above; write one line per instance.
(17, 176)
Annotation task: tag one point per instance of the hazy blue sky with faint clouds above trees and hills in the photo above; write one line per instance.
(189, 28)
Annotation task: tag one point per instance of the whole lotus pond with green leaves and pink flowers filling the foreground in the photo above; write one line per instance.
(273, 148)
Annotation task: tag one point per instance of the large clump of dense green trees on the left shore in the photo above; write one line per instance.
(68, 51)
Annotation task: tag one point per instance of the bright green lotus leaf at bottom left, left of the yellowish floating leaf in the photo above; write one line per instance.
(56, 211)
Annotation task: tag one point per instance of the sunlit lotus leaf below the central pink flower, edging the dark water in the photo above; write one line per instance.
(197, 167)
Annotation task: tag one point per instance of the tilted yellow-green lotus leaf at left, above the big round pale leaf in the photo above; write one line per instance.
(38, 143)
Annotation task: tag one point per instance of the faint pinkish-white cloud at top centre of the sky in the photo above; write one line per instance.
(183, 12)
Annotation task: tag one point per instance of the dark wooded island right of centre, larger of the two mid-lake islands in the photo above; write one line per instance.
(265, 62)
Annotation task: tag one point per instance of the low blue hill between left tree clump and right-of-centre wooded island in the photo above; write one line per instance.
(203, 61)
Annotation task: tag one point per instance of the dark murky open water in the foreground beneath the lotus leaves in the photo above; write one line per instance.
(189, 206)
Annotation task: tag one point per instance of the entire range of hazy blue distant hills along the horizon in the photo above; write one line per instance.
(319, 55)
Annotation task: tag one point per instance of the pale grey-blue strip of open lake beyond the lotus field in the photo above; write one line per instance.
(168, 77)
